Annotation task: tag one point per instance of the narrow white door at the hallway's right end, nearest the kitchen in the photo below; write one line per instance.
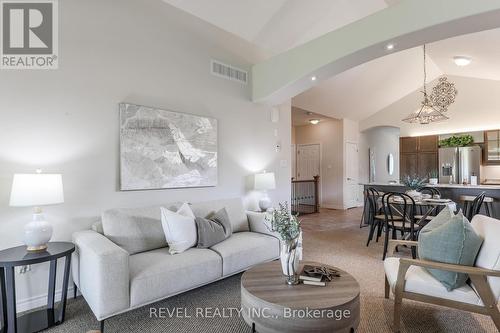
(351, 192)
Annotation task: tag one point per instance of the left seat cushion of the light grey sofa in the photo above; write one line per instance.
(157, 274)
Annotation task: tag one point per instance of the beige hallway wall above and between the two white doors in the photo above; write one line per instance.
(328, 133)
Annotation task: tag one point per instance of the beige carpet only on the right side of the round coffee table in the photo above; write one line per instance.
(334, 237)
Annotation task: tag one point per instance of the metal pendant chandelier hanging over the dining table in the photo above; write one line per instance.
(434, 106)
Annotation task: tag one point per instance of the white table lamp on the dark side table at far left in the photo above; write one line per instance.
(36, 190)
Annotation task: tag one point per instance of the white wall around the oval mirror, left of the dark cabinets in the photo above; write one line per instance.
(384, 141)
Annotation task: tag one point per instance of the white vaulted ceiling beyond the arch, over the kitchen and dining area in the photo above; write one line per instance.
(362, 91)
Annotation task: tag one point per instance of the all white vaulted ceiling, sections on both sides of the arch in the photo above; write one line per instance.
(275, 26)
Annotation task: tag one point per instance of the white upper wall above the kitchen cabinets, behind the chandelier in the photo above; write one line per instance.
(477, 107)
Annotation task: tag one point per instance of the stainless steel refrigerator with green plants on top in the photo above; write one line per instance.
(457, 165)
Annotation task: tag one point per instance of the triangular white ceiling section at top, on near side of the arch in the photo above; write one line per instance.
(279, 25)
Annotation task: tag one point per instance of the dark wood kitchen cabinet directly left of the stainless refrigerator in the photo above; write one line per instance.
(418, 155)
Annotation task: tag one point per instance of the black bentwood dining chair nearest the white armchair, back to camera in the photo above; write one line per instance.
(399, 211)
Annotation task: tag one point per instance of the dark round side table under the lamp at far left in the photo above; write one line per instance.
(41, 319)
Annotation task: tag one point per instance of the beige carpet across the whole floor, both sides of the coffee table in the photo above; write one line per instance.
(332, 237)
